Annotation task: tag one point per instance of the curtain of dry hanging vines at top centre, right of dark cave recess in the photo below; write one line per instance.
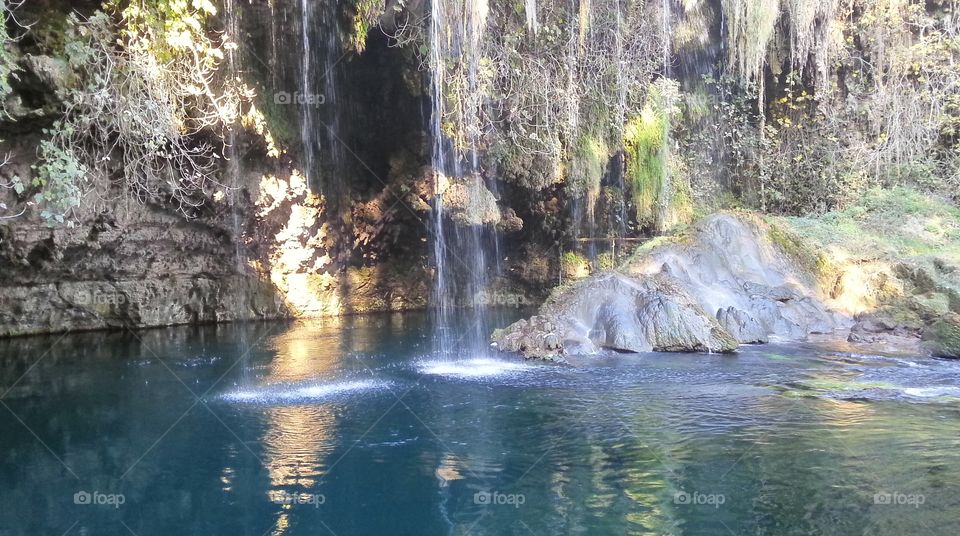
(537, 94)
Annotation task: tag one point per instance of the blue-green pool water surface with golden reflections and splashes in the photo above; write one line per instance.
(351, 427)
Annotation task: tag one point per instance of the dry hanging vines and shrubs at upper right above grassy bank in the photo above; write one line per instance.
(868, 99)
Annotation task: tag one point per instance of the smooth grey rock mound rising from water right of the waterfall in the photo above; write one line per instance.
(726, 283)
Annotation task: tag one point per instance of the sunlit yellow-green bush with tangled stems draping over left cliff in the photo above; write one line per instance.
(145, 88)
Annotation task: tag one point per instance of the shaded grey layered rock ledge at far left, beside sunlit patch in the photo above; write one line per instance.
(154, 271)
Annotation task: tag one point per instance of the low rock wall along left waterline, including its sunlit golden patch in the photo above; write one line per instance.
(268, 251)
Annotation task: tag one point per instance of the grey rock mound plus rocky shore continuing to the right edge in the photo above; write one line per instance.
(731, 279)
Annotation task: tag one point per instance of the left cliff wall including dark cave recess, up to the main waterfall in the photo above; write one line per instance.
(264, 242)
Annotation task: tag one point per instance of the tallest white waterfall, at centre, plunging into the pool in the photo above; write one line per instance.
(461, 250)
